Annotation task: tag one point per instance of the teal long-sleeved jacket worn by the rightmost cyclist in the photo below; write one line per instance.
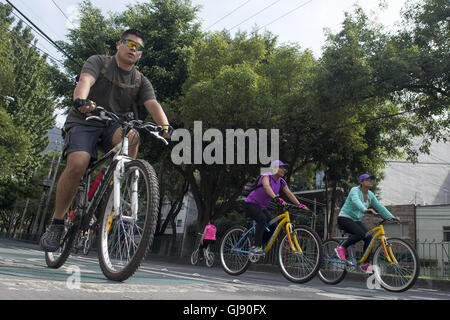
(354, 205)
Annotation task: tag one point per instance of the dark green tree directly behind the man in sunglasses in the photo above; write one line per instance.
(169, 29)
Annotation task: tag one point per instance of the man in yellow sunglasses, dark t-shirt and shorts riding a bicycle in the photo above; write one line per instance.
(115, 84)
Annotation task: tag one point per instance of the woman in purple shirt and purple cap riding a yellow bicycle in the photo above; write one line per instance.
(258, 200)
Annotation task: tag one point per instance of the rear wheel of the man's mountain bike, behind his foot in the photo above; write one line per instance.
(71, 229)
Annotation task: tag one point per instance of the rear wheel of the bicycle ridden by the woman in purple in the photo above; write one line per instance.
(234, 251)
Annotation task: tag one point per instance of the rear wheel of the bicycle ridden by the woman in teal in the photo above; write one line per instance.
(333, 269)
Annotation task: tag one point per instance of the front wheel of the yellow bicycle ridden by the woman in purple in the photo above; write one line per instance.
(302, 266)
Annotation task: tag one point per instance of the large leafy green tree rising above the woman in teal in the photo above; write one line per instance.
(374, 92)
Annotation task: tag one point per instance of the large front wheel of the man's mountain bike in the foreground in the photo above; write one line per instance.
(125, 236)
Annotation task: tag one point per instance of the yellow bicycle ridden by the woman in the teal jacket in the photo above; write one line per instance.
(395, 261)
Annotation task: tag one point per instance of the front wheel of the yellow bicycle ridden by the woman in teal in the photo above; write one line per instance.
(398, 275)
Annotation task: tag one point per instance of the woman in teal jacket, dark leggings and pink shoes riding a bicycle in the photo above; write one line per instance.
(359, 202)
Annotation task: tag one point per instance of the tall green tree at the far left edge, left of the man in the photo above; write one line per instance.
(27, 118)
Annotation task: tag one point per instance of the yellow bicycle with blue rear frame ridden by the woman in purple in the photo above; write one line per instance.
(299, 254)
